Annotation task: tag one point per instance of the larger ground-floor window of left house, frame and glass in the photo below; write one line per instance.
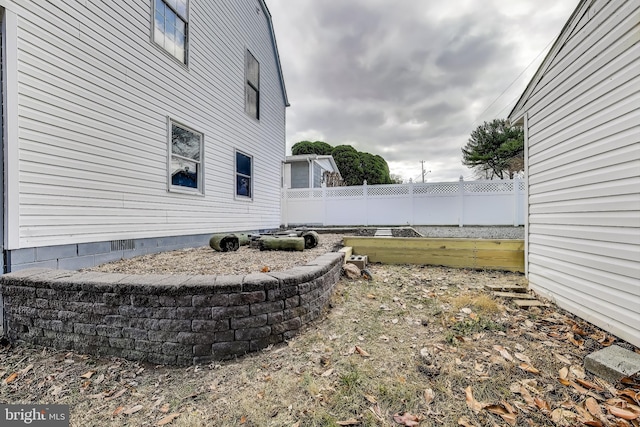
(185, 159)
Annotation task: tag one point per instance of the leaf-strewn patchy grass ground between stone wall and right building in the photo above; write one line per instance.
(415, 346)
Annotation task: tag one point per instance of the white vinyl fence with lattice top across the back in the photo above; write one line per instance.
(444, 203)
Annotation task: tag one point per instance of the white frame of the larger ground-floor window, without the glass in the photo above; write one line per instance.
(199, 162)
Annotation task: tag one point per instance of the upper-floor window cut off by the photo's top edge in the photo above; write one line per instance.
(170, 27)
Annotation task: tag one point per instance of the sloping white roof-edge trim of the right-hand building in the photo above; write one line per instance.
(517, 113)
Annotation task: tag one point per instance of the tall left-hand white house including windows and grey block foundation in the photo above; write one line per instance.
(137, 126)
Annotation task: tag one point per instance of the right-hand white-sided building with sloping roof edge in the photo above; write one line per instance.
(581, 114)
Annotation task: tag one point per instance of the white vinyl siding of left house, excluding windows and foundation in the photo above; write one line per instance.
(94, 95)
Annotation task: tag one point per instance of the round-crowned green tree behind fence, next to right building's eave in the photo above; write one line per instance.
(495, 147)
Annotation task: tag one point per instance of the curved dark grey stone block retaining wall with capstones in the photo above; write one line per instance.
(173, 320)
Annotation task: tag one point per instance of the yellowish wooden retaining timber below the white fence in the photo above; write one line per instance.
(482, 254)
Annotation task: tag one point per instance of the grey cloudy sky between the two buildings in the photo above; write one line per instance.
(408, 79)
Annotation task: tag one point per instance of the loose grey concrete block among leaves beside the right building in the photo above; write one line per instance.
(613, 363)
